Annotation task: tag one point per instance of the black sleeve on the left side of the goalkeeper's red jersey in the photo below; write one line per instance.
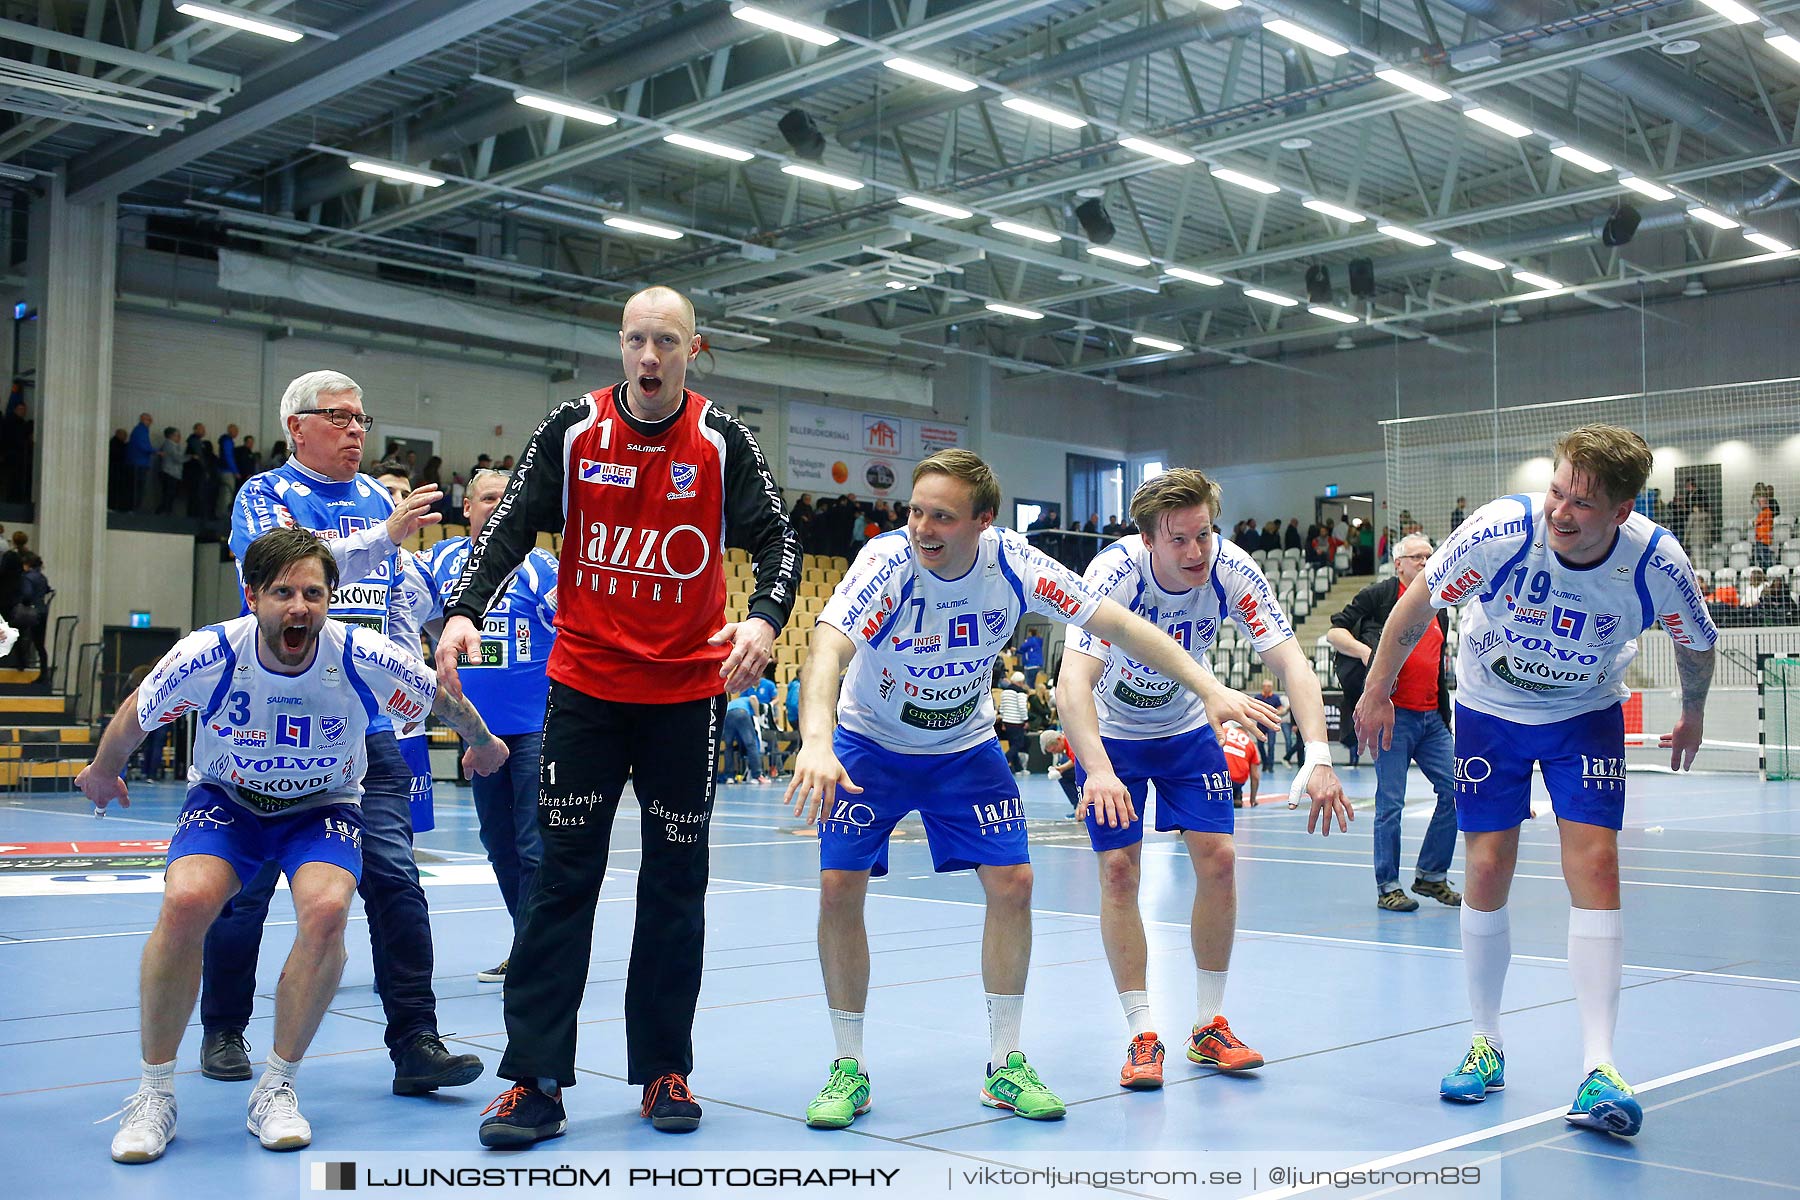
(532, 505)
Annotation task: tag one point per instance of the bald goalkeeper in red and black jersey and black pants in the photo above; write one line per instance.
(649, 483)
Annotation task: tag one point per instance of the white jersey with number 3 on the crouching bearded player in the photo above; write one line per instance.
(280, 744)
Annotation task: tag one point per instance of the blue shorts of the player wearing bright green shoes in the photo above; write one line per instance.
(967, 801)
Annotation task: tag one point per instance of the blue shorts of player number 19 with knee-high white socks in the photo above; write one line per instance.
(1583, 760)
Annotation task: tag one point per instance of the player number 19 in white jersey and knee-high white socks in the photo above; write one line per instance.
(1561, 587)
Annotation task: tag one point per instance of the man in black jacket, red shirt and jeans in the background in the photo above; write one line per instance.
(1421, 731)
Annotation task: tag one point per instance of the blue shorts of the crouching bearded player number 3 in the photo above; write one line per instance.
(211, 823)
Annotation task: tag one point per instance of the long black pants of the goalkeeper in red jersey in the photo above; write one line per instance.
(589, 749)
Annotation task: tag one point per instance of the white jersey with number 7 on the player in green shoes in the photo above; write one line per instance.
(926, 647)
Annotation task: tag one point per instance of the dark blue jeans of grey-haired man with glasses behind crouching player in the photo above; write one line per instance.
(400, 929)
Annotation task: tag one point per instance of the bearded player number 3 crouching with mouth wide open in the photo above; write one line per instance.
(285, 793)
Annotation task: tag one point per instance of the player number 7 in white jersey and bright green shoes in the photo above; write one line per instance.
(919, 620)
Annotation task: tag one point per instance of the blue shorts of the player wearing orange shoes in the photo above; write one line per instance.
(1192, 785)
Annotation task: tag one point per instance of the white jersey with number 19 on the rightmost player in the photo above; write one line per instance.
(1547, 641)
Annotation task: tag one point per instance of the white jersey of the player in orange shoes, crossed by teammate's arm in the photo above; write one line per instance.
(1133, 701)
